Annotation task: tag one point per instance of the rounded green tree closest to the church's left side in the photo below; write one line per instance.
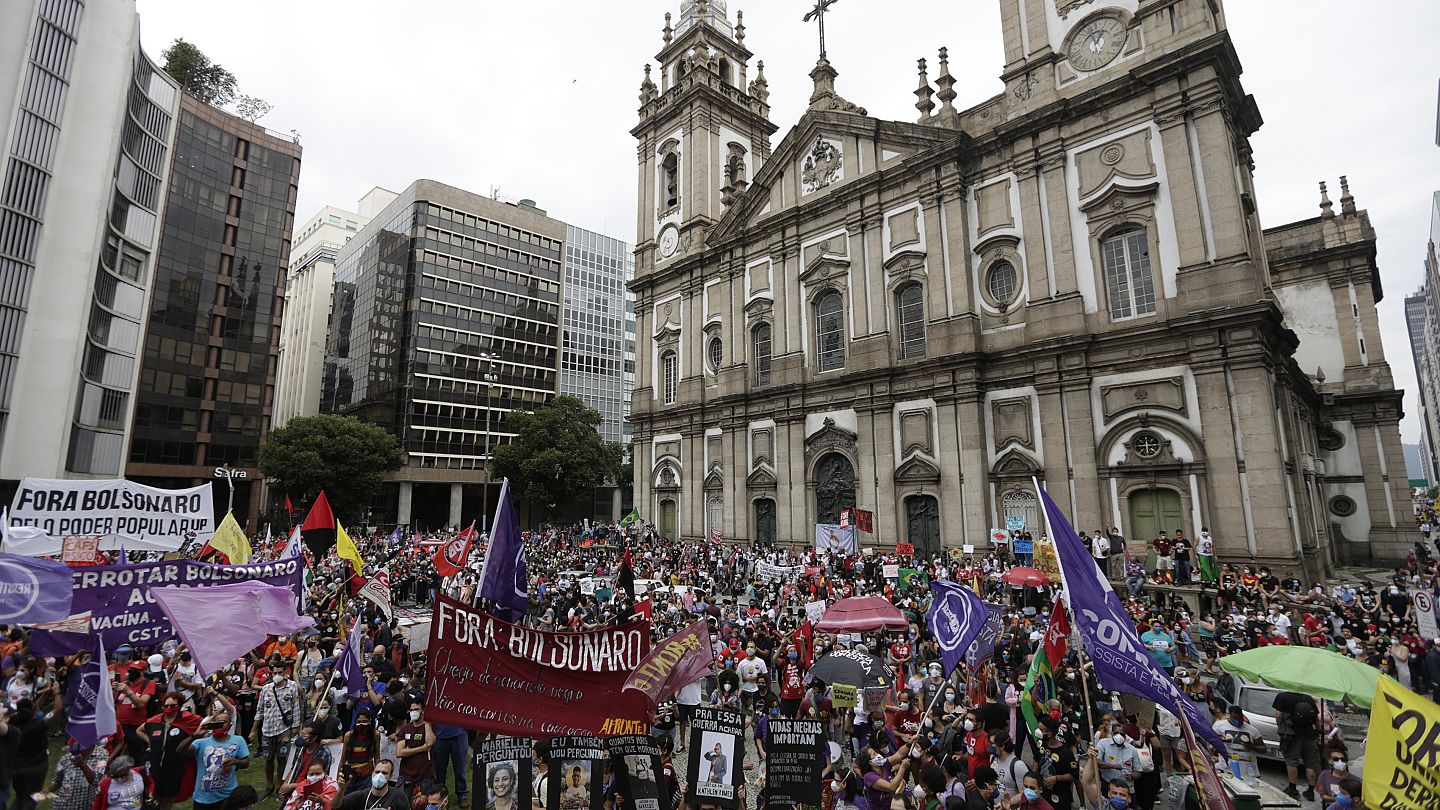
(558, 456)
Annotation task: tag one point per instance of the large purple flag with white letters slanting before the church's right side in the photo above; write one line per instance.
(1121, 662)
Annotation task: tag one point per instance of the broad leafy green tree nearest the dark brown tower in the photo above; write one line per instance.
(339, 455)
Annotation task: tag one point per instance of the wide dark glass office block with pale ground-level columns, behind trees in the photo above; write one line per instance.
(446, 318)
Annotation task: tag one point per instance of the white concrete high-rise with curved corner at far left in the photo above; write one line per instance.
(87, 125)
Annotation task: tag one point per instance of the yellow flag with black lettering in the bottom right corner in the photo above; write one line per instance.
(1400, 752)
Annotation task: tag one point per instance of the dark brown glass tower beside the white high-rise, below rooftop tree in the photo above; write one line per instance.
(208, 371)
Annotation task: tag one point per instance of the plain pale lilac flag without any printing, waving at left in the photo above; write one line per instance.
(221, 623)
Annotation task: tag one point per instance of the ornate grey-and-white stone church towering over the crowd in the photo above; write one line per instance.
(1069, 282)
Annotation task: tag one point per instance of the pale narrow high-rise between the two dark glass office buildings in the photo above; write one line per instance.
(309, 289)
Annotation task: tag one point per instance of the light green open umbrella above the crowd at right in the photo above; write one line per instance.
(1311, 671)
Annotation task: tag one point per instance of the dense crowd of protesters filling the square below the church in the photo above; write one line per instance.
(346, 701)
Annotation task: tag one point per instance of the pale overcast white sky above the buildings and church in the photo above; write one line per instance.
(538, 97)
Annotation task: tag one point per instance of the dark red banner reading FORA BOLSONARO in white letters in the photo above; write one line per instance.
(495, 677)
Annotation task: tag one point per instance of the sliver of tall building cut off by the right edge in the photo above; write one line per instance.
(1423, 321)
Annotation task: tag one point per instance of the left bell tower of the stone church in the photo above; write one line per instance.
(705, 130)
